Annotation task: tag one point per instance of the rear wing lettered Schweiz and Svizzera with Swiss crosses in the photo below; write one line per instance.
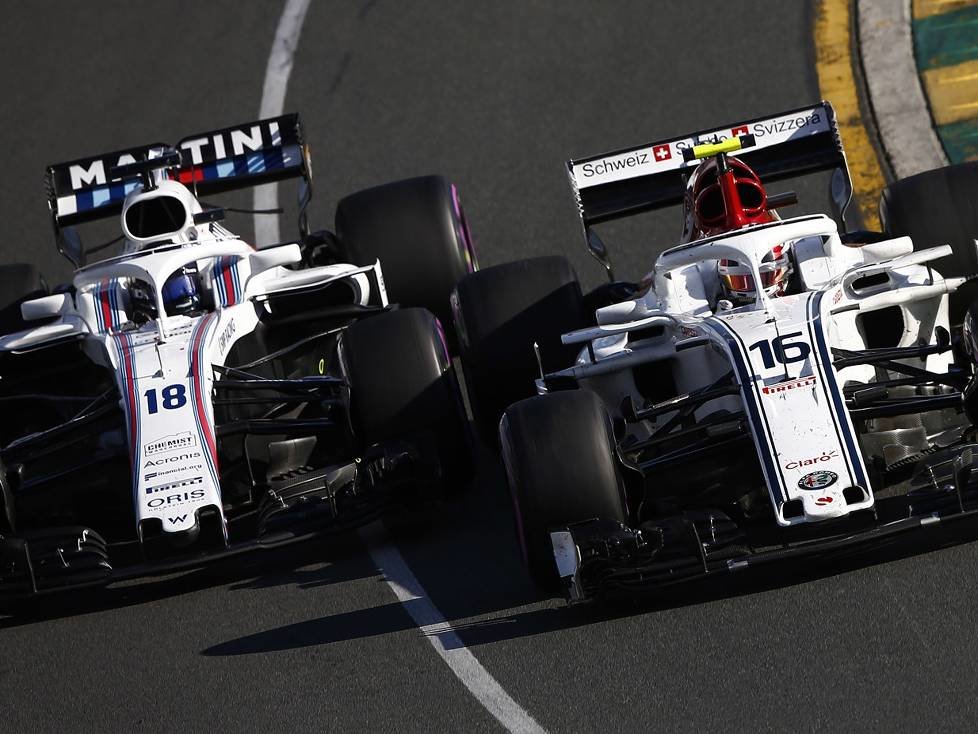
(652, 176)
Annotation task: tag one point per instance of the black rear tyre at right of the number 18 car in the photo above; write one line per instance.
(418, 231)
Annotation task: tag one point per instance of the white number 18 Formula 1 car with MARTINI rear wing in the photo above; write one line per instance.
(194, 397)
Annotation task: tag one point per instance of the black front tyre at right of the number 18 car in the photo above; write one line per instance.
(403, 386)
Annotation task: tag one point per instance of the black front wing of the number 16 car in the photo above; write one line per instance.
(606, 559)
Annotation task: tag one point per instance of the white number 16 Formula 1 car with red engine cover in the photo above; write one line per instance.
(774, 387)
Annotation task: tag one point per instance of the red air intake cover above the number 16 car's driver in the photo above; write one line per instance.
(705, 200)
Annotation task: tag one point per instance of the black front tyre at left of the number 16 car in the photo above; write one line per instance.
(558, 450)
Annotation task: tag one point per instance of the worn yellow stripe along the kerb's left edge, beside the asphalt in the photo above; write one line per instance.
(837, 84)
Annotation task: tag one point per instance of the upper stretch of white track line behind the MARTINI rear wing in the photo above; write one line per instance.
(272, 103)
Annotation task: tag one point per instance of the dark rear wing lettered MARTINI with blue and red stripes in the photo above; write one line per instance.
(211, 162)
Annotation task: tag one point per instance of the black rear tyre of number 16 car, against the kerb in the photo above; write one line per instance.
(939, 207)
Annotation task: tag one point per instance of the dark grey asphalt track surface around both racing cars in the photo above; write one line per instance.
(496, 96)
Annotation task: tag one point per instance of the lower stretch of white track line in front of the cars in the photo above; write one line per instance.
(446, 641)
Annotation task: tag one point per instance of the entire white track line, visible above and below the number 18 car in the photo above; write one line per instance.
(398, 574)
